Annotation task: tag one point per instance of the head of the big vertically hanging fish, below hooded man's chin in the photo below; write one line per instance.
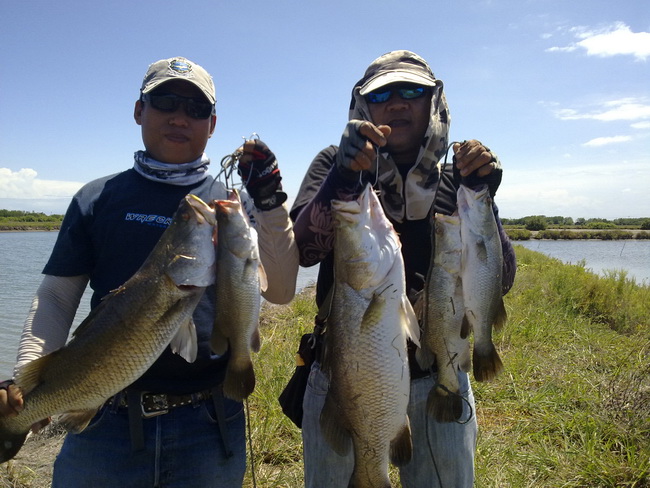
(366, 244)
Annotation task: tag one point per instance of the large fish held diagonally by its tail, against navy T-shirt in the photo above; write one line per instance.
(123, 336)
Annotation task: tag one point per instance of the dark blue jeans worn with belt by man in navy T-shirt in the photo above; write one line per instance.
(183, 449)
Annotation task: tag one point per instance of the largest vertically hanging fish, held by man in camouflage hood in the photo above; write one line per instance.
(365, 354)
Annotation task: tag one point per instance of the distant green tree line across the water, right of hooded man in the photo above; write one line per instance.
(542, 222)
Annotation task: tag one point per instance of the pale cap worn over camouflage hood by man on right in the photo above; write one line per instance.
(394, 67)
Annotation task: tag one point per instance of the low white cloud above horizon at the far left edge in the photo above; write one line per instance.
(25, 184)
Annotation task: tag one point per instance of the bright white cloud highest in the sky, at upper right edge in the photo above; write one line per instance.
(614, 40)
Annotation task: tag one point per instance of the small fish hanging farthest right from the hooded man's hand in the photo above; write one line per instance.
(482, 265)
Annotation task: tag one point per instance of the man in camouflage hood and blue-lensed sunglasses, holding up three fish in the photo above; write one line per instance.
(396, 137)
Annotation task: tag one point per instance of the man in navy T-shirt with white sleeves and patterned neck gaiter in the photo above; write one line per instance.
(173, 427)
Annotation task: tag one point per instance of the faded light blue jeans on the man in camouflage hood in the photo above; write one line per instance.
(442, 452)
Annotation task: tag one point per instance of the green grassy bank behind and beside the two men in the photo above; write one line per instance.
(571, 409)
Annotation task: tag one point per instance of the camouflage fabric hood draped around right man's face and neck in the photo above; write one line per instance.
(412, 199)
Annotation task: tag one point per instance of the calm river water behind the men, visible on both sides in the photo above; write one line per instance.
(24, 254)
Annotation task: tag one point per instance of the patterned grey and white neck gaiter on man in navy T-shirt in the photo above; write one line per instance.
(172, 174)
